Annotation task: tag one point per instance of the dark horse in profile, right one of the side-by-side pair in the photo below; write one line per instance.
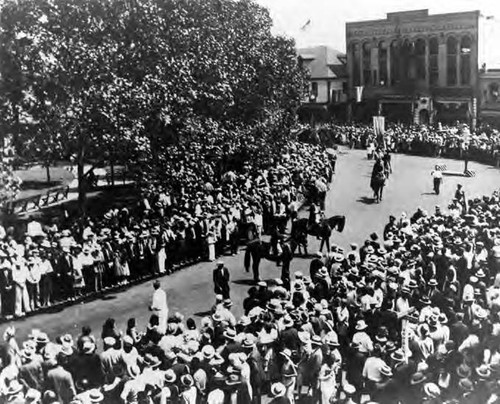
(323, 230)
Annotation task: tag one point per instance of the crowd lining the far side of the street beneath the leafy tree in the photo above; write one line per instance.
(201, 216)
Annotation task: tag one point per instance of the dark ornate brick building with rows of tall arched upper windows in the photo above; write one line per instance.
(415, 67)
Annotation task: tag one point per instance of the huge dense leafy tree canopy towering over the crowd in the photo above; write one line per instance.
(122, 80)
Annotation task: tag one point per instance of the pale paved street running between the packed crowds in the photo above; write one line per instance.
(190, 290)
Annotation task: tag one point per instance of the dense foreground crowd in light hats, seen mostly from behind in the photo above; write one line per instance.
(411, 316)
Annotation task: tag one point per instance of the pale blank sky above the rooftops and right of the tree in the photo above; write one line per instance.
(328, 18)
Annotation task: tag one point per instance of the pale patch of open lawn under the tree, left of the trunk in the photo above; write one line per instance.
(35, 180)
